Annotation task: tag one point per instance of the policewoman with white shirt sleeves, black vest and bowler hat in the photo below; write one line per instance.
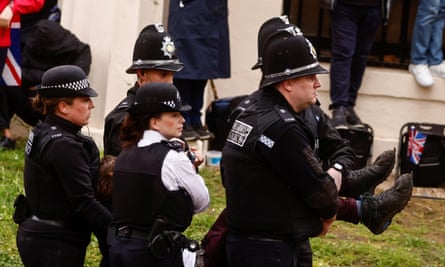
(156, 189)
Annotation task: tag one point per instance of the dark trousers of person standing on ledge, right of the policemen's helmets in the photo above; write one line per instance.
(353, 30)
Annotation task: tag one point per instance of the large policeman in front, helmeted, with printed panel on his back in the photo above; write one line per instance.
(277, 192)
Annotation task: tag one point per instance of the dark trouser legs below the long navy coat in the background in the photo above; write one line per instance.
(192, 93)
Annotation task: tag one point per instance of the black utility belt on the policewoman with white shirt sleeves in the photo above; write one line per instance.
(161, 242)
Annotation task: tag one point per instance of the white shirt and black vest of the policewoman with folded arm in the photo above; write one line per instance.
(155, 179)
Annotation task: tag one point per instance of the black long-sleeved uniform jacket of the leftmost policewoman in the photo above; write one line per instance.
(60, 170)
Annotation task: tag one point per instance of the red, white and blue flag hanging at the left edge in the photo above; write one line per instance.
(12, 72)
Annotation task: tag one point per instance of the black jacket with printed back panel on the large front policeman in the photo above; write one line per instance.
(275, 185)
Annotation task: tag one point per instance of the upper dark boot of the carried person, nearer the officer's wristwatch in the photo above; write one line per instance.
(357, 182)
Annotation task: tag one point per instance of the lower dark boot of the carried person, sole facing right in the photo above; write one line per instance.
(377, 211)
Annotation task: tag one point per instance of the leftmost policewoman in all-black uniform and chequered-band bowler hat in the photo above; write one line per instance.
(61, 166)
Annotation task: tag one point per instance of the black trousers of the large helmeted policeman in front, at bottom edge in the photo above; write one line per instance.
(243, 251)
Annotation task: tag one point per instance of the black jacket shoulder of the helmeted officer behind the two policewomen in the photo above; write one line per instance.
(113, 123)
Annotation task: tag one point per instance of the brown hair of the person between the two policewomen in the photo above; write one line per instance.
(104, 190)
